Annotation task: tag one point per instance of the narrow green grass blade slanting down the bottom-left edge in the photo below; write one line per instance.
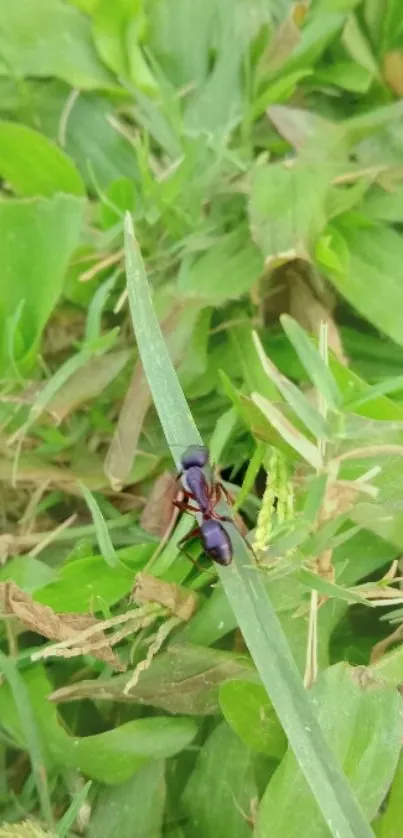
(30, 731)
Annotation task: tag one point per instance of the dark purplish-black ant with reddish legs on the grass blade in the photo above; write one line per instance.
(215, 539)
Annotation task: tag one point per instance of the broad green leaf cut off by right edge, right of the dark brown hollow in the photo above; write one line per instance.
(372, 279)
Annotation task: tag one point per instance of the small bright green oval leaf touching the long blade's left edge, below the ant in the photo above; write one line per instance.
(250, 714)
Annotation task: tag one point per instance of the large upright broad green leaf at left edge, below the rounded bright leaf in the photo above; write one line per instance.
(34, 260)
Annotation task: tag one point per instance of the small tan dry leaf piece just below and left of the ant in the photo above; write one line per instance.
(179, 601)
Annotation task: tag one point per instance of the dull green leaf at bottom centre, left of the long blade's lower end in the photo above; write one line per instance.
(210, 793)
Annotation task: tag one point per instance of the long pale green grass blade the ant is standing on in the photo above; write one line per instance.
(244, 586)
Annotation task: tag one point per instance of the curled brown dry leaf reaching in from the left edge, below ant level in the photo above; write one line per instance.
(43, 620)
